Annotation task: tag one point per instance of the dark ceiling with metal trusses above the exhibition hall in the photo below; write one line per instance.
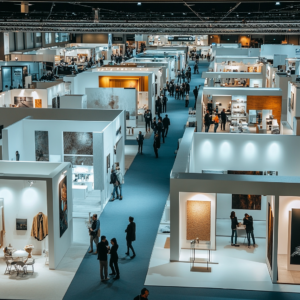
(178, 17)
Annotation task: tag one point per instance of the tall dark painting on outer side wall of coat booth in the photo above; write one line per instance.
(63, 206)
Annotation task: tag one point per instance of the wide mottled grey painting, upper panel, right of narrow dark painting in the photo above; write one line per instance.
(78, 143)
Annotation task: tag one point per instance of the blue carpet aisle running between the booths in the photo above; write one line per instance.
(145, 192)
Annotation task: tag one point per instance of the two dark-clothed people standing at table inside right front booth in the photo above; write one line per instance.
(248, 222)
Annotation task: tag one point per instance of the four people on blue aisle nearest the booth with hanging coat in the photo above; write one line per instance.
(103, 248)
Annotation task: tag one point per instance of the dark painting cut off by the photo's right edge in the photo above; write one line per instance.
(295, 241)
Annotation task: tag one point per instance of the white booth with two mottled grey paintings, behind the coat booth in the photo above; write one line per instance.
(91, 140)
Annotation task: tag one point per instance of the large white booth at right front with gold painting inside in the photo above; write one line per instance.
(212, 176)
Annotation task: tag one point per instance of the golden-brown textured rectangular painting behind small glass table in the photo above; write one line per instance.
(198, 220)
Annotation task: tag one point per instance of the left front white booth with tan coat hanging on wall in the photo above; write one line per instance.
(31, 191)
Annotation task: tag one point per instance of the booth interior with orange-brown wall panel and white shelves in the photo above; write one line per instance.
(255, 110)
